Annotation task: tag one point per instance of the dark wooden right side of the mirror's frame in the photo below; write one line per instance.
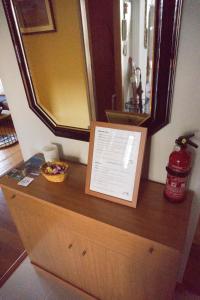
(168, 22)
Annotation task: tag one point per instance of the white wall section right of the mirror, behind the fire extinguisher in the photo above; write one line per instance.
(185, 112)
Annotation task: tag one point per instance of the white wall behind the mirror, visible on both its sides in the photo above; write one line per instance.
(33, 134)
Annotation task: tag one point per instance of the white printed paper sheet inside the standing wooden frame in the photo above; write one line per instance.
(114, 162)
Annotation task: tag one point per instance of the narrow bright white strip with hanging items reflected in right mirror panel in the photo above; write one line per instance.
(137, 36)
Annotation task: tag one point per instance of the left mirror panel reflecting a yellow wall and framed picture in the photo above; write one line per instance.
(52, 38)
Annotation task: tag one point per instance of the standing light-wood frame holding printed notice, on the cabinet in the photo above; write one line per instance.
(115, 160)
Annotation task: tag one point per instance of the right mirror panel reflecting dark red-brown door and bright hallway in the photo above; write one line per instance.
(122, 37)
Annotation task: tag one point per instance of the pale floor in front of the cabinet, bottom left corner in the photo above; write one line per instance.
(31, 283)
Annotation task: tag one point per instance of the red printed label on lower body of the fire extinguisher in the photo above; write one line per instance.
(175, 187)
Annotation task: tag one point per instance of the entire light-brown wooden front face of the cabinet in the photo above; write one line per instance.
(101, 259)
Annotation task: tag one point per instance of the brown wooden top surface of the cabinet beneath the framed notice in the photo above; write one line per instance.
(154, 218)
